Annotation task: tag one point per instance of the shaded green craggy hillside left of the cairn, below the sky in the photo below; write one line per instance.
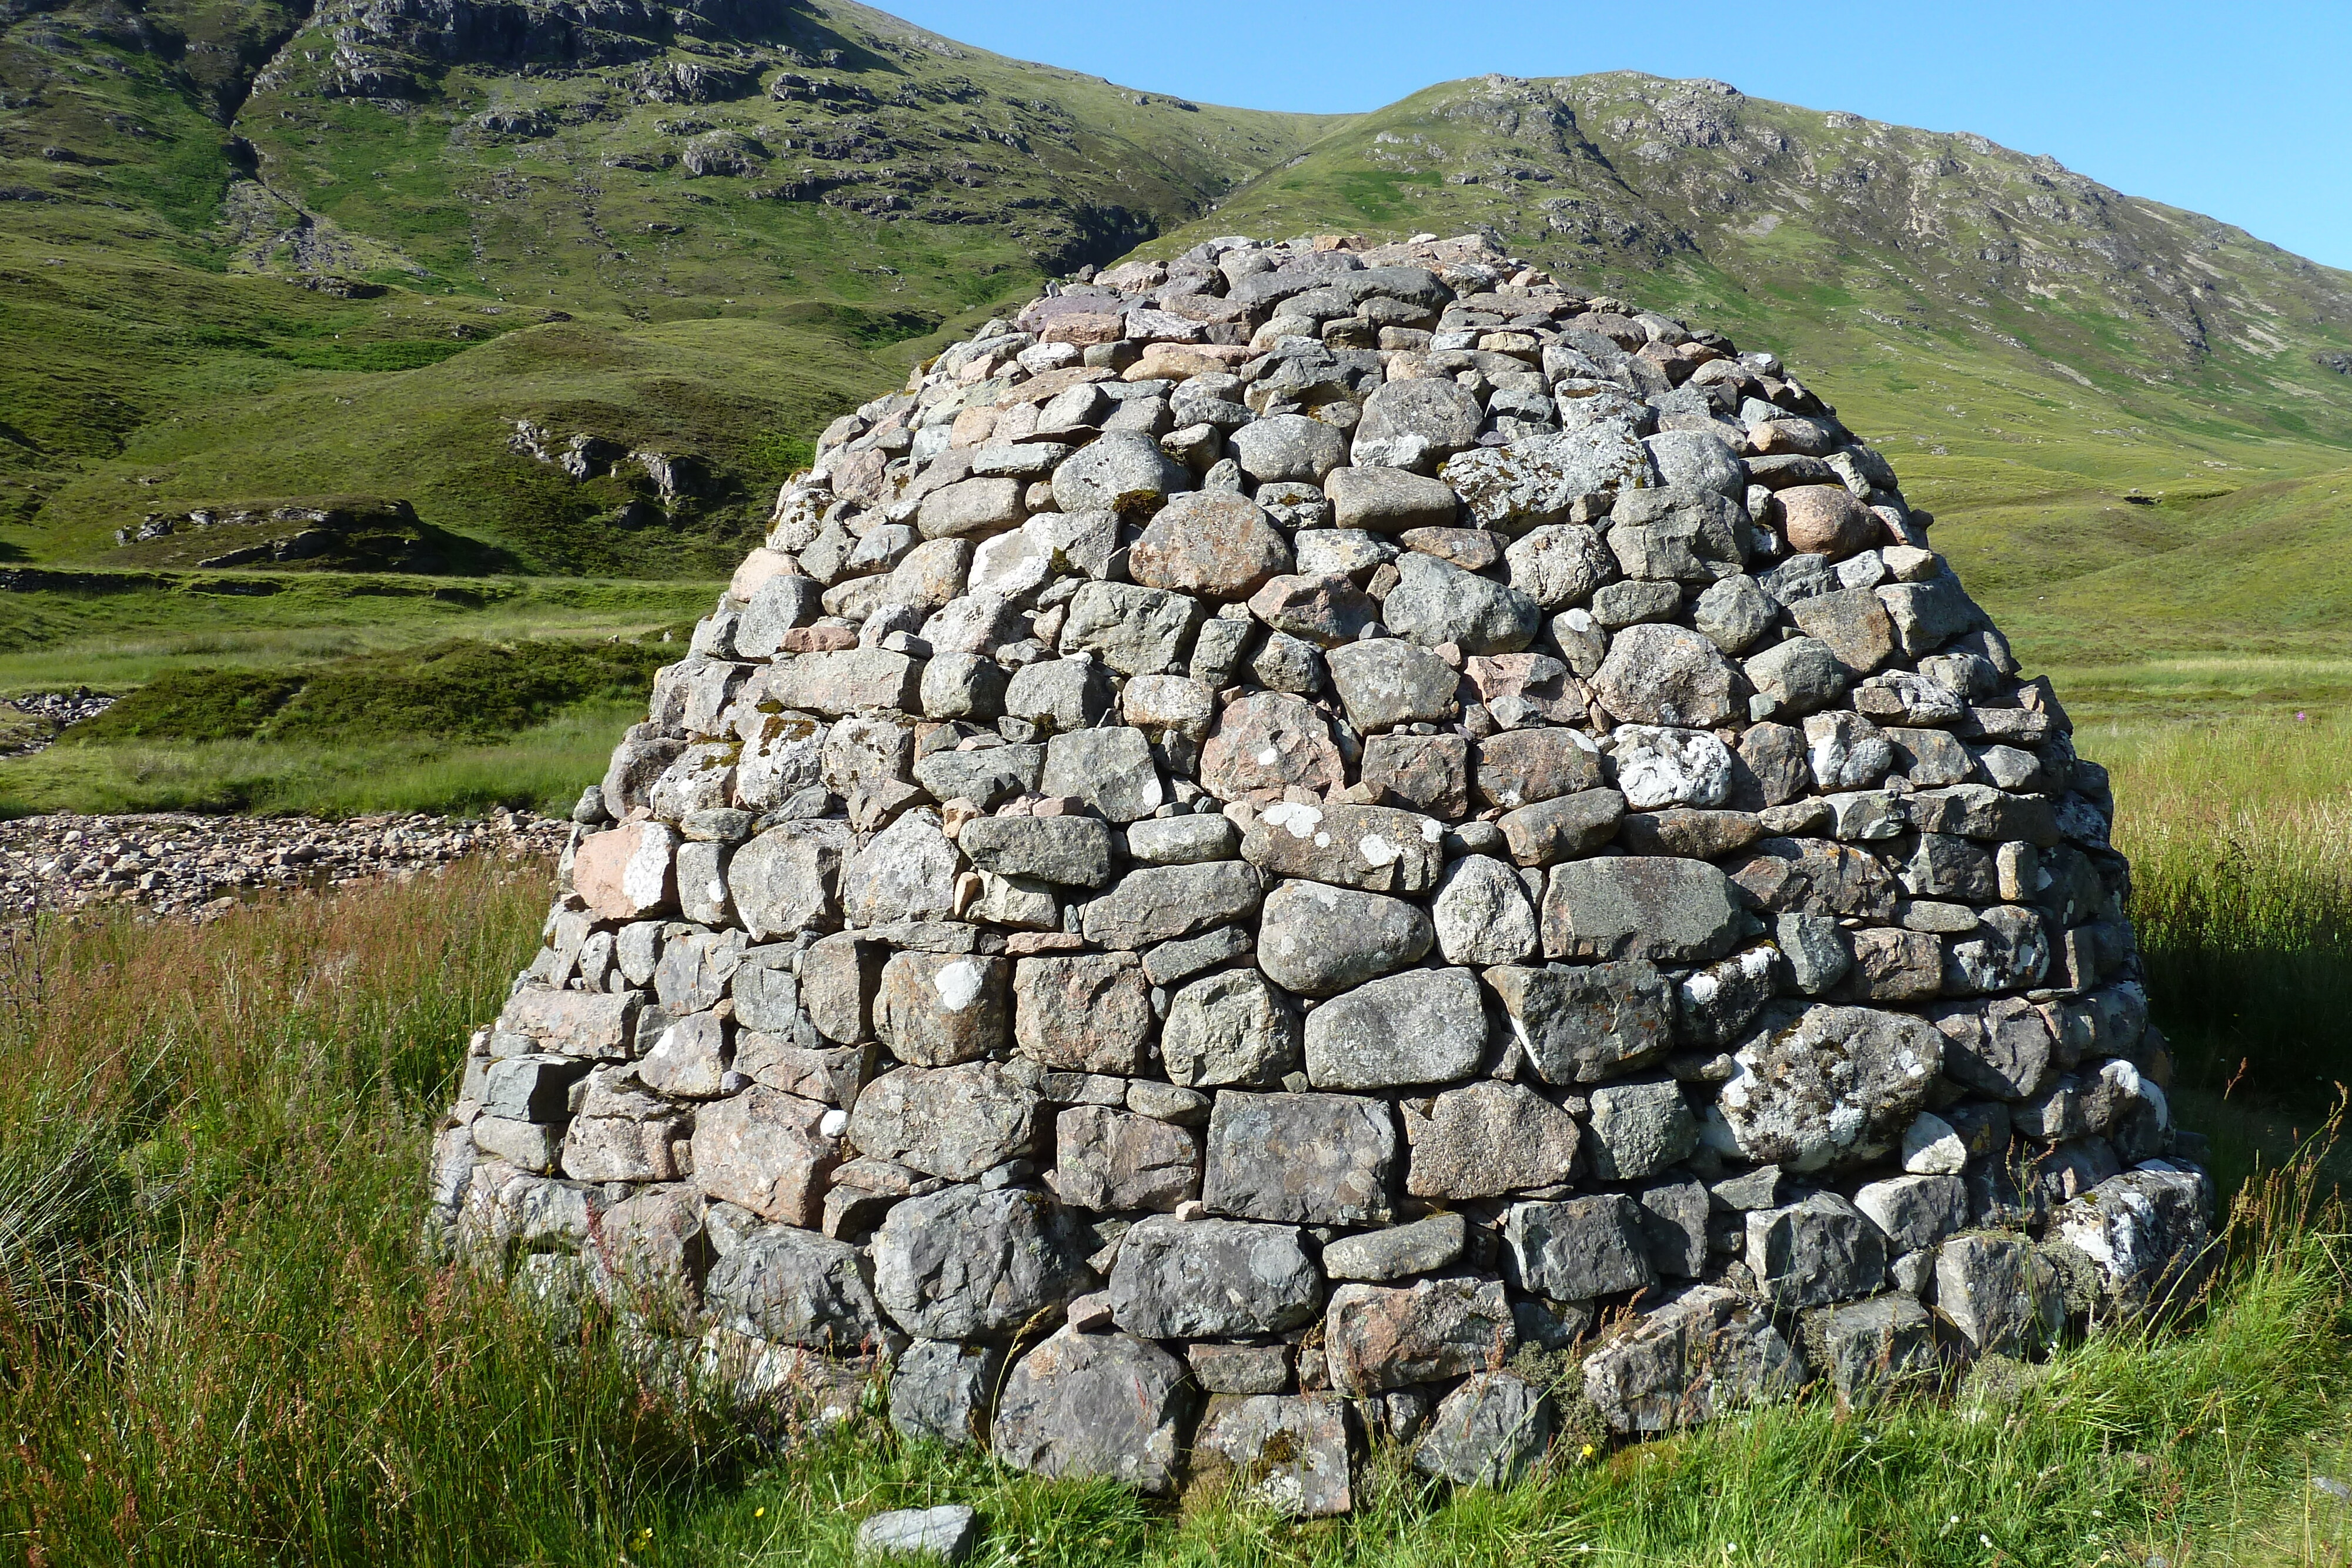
(265, 255)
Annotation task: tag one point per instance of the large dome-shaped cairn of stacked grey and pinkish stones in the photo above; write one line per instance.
(1335, 840)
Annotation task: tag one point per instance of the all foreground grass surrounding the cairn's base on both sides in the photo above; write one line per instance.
(220, 1341)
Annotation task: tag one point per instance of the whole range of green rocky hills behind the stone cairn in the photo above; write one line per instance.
(267, 253)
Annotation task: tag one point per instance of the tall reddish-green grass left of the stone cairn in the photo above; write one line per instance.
(229, 1351)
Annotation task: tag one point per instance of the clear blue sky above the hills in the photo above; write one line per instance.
(2240, 112)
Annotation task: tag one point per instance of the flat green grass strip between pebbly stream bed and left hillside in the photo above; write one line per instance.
(340, 695)
